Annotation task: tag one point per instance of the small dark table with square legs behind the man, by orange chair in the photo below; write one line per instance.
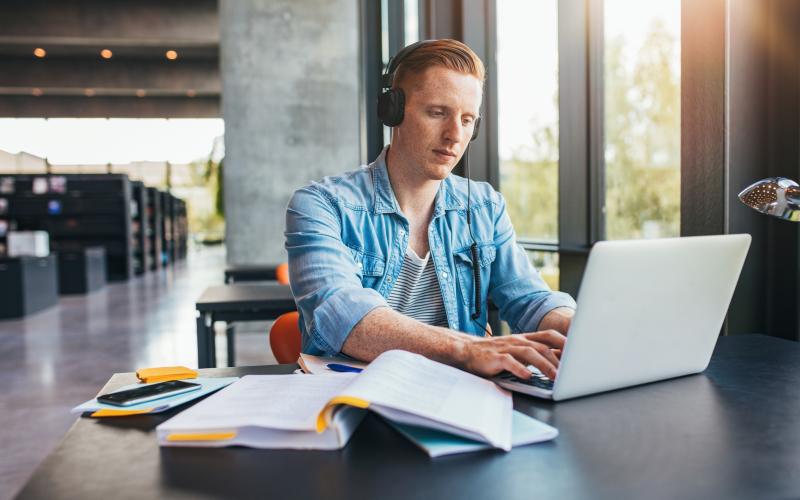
(236, 303)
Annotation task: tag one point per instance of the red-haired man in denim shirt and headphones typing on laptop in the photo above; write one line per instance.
(380, 258)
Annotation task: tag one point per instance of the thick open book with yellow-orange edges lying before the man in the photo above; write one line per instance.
(322, 411)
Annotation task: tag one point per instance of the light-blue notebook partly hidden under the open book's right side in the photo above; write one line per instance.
(524, 430)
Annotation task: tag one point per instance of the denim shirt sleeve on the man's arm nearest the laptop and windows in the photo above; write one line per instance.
(518, 289)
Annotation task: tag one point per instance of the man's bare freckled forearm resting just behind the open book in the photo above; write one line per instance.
(383, 329)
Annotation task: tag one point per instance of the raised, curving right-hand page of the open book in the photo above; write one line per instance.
(426, 390)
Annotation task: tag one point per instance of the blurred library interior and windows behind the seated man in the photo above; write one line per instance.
(148, 147)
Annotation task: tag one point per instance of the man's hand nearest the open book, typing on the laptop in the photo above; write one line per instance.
(490, 356)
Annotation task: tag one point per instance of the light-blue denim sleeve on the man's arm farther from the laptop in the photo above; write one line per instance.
(323, 275)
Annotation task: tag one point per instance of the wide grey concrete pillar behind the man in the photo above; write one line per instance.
(290, 104)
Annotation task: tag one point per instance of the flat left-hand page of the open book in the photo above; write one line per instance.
(287, 402)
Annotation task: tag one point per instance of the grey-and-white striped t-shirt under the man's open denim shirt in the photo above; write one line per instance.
(416, 291)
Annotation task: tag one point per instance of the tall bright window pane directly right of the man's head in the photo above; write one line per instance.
(527, 83)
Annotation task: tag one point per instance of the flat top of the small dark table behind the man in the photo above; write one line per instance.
(235, 296)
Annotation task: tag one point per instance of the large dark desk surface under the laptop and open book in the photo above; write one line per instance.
(730, 432)
